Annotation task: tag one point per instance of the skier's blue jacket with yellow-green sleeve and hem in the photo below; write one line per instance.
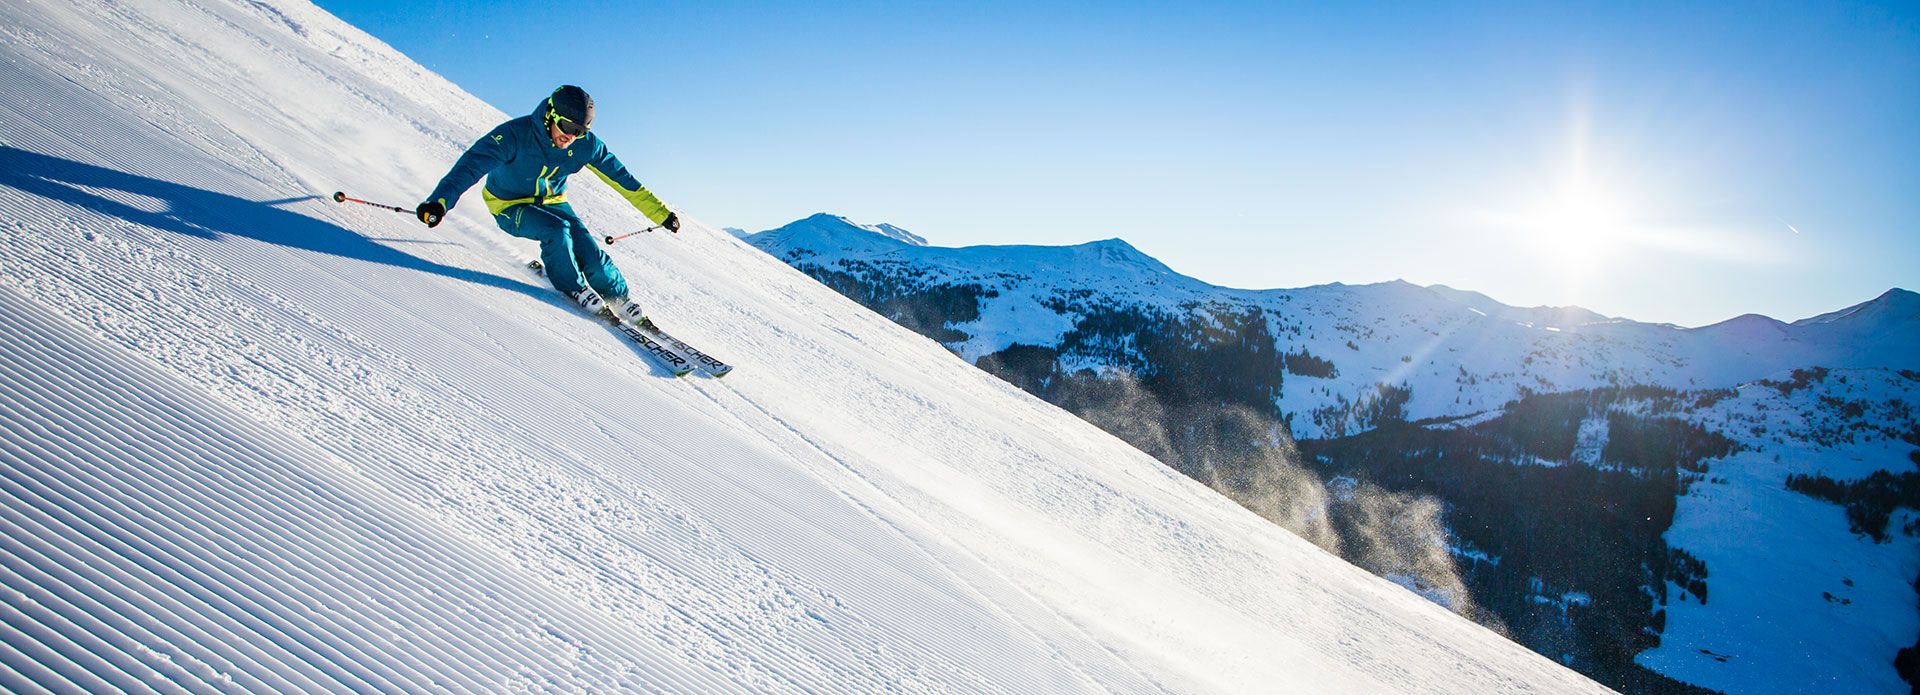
(521, 166)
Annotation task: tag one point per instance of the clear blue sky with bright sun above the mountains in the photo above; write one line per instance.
(1660, 162)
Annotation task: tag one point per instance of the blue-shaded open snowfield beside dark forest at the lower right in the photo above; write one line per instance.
(1798, 604)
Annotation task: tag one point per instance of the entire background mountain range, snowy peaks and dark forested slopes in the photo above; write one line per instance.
(1735, 458)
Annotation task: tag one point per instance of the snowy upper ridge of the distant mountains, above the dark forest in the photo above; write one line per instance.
(1454, 352)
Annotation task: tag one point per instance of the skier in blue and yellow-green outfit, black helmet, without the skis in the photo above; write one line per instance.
(527, 164)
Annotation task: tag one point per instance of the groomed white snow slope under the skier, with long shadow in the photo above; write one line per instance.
(252, 441)
